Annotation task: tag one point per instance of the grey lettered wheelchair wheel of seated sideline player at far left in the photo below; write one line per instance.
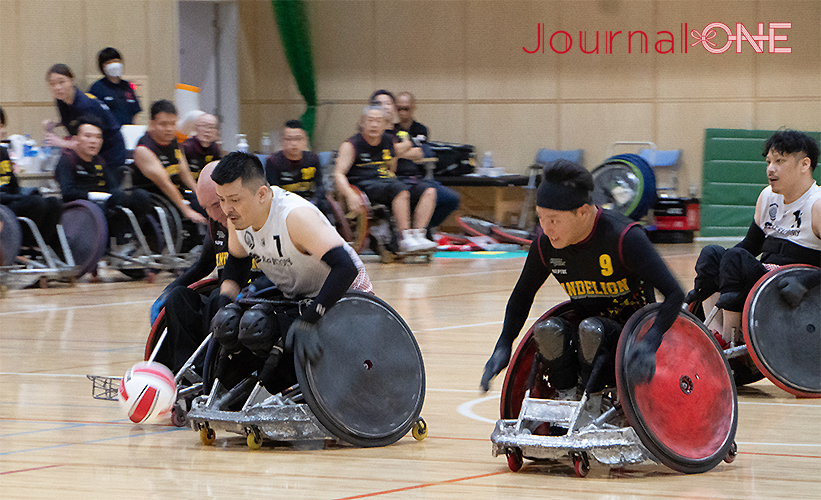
(87, 234)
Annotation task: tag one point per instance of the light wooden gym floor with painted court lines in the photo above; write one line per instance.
(58, 442)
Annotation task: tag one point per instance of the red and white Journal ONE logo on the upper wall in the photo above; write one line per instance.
(715, 38)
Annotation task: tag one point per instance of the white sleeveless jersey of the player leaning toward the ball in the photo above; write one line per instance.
(295, 274)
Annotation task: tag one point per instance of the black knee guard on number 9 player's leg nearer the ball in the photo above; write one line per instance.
(553, 337)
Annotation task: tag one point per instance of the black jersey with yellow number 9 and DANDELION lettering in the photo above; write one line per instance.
(596, 279)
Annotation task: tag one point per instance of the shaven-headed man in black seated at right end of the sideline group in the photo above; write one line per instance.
(447, 200)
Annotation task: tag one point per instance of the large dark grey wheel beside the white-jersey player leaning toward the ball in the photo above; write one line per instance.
(369, 385)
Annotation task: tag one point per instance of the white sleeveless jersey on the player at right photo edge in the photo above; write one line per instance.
(791, 222)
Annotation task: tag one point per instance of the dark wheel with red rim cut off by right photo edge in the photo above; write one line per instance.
(785, 342)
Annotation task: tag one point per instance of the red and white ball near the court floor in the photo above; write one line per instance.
(147, 392)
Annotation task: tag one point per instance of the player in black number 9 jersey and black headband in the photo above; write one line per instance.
(607, 266)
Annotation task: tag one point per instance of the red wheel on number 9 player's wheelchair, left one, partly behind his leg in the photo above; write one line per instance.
(521, 364)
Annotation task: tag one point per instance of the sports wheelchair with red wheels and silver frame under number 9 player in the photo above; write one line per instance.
(685, 417)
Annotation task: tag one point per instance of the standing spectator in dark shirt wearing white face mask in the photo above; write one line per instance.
(112, 90)
